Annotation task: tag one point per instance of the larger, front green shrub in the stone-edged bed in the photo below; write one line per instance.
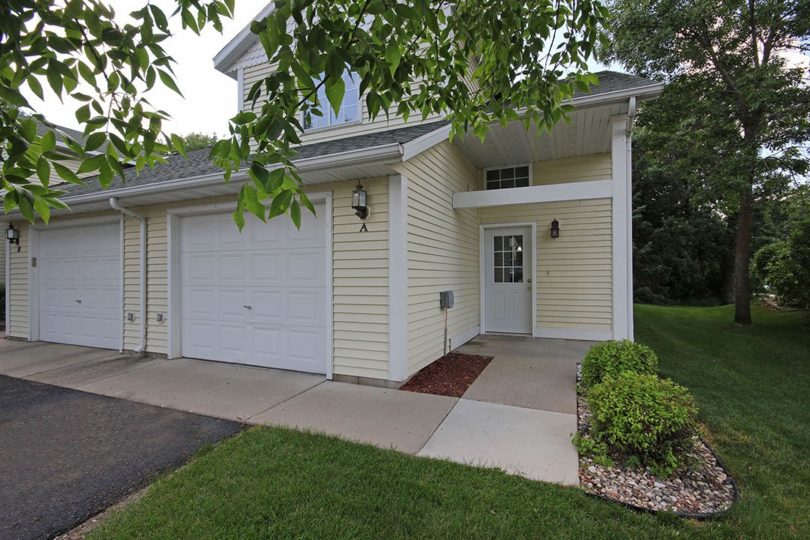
(643, 418)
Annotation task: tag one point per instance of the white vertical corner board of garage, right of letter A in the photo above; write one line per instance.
(398, 277)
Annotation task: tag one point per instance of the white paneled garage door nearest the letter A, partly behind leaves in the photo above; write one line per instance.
(257, 297)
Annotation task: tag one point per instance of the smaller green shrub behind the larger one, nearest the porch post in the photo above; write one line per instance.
(615, 357)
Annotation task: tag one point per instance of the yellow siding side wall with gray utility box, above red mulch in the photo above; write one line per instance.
(443, 248)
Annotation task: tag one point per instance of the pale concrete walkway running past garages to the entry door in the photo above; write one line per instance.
(518, 416)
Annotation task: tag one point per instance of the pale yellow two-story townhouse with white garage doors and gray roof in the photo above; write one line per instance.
(531, 233)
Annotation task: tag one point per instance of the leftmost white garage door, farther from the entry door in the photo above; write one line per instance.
(79, 273)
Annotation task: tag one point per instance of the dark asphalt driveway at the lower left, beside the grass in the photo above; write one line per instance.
(67, 455)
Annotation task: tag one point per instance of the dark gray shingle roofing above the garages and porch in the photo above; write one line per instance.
(198, 163)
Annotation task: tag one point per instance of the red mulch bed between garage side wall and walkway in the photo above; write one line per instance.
(450, 375)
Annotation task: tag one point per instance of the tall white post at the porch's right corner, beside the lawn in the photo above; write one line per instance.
(622, 232)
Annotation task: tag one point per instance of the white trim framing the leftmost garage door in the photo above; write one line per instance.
(33, 275)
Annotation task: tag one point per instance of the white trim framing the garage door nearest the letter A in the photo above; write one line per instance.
(174, 345)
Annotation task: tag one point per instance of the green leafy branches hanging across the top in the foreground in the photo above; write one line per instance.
(411, 58)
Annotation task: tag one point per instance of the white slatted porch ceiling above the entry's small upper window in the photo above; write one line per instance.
(588, 132)
